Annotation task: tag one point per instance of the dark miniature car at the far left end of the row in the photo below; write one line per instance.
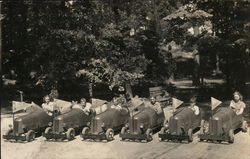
(25, 127)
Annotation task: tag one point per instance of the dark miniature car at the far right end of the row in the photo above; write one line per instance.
(221, 126)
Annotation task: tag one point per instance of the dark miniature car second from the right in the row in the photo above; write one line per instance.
(181, 125)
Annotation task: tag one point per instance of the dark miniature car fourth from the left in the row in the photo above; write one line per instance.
(142, 124)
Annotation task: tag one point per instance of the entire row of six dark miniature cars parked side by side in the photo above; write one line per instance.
(131, 122)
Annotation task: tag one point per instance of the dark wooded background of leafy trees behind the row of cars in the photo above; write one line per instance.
(91, 47)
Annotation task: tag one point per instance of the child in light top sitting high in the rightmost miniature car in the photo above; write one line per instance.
(237, 104)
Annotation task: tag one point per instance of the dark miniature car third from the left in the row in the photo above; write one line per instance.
(108, 120)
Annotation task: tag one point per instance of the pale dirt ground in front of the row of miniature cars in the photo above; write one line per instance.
(116, 149)
